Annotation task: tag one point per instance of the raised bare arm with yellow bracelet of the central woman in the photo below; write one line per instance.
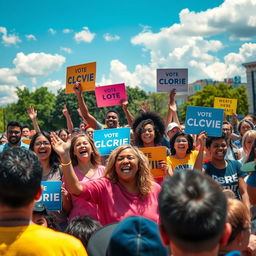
(62, 149)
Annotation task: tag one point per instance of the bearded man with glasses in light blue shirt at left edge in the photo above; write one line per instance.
(13, 136)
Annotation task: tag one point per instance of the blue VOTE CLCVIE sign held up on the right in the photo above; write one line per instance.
(200, 119)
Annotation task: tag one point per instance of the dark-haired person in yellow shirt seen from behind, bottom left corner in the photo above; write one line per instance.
(20, 179)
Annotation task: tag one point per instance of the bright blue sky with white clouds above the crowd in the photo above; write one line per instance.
(129, 40)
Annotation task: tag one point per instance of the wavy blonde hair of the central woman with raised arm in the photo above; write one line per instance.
(144, 179)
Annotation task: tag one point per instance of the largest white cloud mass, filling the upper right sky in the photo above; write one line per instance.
(189, 44)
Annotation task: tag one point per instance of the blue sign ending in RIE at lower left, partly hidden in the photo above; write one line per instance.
(51, 195)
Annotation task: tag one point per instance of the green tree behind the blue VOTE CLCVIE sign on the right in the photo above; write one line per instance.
(205, 98)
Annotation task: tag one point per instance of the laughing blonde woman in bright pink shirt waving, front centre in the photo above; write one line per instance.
(127, 189)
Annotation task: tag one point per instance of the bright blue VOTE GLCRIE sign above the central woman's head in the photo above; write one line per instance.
(108, 139)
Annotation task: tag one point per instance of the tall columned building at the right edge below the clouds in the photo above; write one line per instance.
(251, 88)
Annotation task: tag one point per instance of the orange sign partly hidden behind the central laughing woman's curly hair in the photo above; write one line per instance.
(154, 155)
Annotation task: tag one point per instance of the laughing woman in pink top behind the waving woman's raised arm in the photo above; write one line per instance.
(86, 161)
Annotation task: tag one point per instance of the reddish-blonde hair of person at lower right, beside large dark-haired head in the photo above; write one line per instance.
(238, 216)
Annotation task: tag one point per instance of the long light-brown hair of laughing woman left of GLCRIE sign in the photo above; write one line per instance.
(95, 155)
